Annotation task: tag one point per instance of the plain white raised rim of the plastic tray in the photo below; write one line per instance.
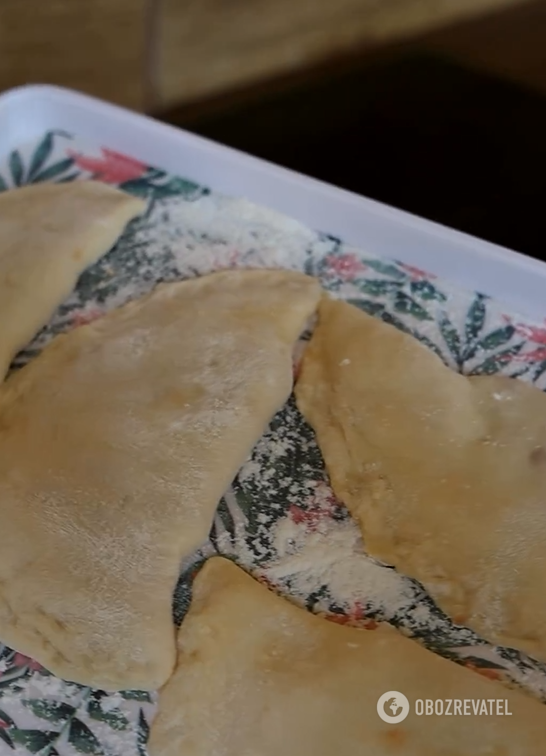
(519, 281)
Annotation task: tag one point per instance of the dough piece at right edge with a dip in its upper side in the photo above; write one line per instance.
(445, 474)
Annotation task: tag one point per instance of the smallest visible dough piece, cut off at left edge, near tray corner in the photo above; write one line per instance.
(49, 233)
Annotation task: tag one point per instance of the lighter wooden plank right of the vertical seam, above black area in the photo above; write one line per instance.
(208, 46)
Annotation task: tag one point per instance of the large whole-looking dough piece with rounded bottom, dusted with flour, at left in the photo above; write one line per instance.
(116, 445)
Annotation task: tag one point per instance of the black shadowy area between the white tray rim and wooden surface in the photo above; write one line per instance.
(415, 129)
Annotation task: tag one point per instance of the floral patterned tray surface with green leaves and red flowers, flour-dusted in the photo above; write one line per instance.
(279, 519)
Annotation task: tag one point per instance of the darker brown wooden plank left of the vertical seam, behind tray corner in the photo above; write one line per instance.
(97, 46)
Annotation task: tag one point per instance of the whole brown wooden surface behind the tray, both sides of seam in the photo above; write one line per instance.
(153, 54)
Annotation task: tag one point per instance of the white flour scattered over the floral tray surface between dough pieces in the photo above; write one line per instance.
(280, 519)
